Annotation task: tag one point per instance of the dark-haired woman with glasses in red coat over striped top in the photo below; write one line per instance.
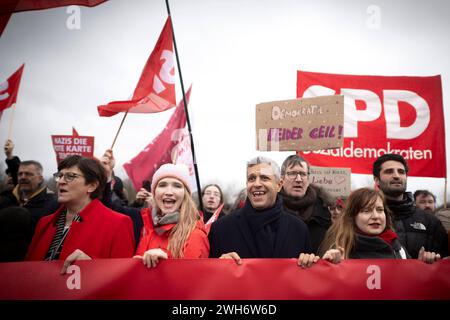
(82, 228)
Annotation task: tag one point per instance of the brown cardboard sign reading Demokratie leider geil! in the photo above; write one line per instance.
(303, 124)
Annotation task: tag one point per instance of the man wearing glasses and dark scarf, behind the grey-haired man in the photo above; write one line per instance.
(304, 200)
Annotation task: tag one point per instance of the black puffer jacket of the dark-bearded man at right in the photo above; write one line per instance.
(416, 228)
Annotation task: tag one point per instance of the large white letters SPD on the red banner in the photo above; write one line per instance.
(374, 109)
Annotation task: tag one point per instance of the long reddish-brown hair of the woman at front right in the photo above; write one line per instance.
(342, 232)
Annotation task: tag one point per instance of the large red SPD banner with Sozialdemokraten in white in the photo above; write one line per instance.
(401, 115)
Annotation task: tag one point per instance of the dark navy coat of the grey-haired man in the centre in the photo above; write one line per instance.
(279, 234)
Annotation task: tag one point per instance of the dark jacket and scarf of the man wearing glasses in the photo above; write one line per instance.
(312, 210)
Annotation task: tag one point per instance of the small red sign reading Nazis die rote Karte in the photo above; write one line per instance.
(73, 145)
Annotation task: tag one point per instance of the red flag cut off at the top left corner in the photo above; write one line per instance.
(10, 6)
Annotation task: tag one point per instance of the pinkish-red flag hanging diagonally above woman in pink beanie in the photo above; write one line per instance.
(159, 151)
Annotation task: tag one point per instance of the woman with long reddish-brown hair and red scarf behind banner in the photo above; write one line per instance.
(366, 231)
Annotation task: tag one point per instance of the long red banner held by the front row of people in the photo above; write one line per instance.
(214, 279)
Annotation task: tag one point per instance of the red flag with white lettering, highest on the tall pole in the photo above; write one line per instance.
(155, 91)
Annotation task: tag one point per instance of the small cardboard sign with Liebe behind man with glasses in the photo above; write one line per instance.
(336, 181)
